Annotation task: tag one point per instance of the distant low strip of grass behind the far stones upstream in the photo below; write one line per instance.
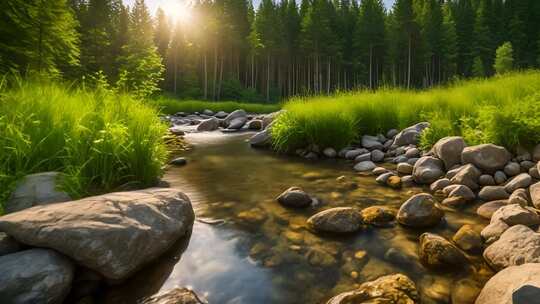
(170, 106)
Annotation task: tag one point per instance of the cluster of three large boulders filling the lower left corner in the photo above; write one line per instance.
(52, 248)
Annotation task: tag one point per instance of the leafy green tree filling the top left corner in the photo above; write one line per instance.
(38, 35)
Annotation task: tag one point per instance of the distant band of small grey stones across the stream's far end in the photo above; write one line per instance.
(226, 122)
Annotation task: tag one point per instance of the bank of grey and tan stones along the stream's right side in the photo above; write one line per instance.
(457, 175)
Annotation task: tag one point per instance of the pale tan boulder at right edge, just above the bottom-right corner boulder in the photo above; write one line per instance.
(517, 245)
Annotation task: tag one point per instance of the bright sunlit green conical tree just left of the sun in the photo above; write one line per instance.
(141, 67)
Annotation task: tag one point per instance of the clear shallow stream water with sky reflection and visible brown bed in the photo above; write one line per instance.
(256, 251)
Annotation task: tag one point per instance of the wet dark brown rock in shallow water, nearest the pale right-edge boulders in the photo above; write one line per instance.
(435, 251)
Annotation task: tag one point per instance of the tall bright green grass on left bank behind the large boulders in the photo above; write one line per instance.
(101, 140)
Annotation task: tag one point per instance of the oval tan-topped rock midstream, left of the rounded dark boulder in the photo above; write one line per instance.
(336, 220)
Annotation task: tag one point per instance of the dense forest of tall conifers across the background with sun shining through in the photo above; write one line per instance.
(230, 50)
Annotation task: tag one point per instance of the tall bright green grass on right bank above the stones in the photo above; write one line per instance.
(502, 110)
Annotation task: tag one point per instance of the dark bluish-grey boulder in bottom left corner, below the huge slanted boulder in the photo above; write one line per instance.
(35, 276)
